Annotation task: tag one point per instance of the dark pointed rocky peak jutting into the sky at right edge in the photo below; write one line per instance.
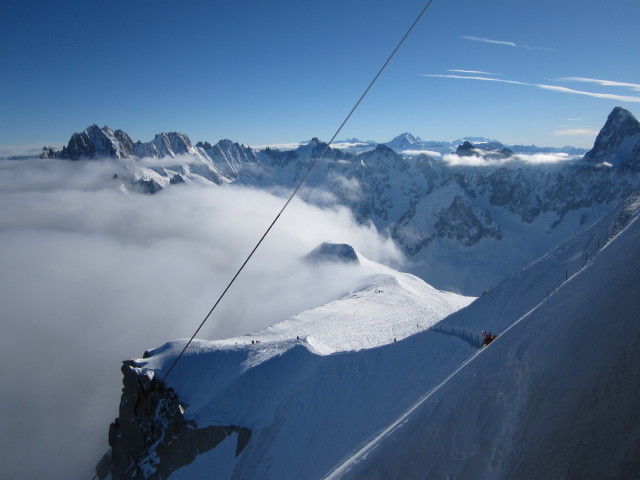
(619, 140)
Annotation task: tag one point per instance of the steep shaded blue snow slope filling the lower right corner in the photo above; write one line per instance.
(555, 396)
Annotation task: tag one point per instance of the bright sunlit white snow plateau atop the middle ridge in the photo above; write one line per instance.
(388, 306)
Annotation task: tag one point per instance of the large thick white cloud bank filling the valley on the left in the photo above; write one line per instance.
(93, 275)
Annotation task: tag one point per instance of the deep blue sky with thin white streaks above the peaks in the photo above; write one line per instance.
(282, 71)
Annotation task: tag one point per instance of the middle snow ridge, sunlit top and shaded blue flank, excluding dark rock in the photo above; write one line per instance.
(279, 382)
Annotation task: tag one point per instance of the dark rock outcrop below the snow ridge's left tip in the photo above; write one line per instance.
(150, 439)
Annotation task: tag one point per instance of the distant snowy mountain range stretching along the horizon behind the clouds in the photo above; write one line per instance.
(461, 217)
